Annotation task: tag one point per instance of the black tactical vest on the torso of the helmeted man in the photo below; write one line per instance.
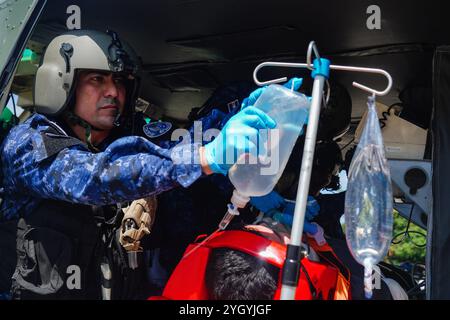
(72, 251)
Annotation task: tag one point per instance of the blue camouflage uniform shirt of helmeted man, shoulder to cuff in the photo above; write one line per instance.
(127, 169)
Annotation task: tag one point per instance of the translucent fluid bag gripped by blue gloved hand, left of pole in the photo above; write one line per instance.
(255, 174)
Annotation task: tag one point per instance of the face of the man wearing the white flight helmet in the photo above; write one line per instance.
(100, 97)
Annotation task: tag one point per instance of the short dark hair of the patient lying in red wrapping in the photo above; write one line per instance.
(235, 275)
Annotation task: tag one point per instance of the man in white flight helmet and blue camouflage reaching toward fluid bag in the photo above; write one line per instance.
(66, 167)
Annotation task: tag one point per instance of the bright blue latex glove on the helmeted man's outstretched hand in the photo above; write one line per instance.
(236, 138)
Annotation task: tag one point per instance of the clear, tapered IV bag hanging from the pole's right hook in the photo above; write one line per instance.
(368, 201)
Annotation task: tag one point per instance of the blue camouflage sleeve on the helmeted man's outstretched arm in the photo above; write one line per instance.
(130, 168)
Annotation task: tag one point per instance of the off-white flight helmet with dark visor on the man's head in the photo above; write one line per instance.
(75, 50)
